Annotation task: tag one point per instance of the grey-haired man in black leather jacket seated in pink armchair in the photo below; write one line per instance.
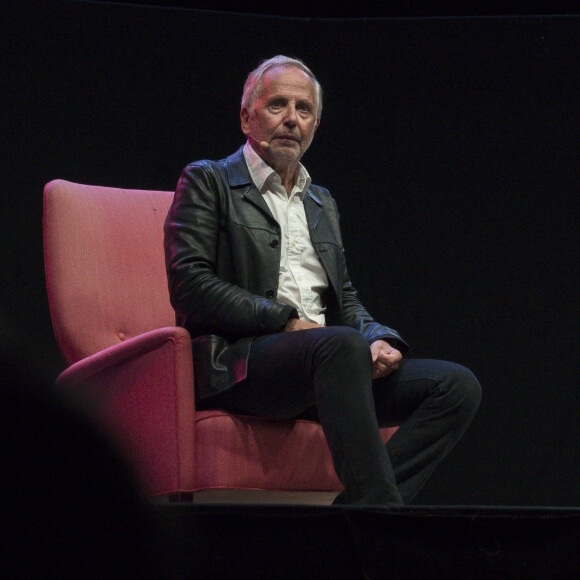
(257, 275)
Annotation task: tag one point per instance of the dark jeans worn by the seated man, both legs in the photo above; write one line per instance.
(325, 374)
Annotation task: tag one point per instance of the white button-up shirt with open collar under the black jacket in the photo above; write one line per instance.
(302, 278)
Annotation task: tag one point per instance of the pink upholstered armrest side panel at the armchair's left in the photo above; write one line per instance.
(141, 392)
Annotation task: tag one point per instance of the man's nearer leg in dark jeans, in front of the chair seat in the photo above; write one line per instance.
(331, 368)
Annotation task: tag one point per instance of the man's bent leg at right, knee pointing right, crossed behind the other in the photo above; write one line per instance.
(433, 402)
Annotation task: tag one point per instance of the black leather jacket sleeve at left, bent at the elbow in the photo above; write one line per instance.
(205, 303)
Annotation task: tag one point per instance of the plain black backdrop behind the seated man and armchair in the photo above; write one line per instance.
(450, 144)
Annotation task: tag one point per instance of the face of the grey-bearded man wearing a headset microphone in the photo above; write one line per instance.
(284, 115)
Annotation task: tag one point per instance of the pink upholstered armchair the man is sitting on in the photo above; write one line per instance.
(115, 326)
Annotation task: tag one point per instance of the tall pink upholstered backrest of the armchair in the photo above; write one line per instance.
(105, 267)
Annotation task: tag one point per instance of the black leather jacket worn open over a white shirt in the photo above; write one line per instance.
(222, 252)
